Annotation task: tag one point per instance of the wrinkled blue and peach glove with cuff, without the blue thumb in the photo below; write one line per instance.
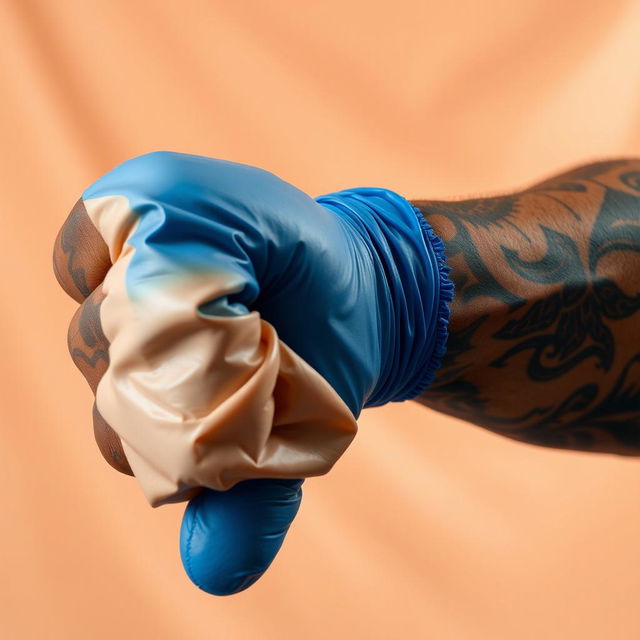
(208, 257)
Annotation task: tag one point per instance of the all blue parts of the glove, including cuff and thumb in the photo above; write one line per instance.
(355, 282)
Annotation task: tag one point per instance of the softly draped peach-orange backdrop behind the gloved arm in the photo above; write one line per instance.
(427, 527)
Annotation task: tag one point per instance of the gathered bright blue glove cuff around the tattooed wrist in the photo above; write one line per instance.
(413, 288)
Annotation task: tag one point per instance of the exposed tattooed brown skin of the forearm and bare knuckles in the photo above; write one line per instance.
(544, 334)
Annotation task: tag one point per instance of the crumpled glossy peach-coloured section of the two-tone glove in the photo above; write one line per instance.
(198, 399)
